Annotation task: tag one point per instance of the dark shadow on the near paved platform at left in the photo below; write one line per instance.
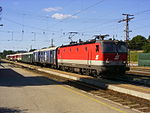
(10, 78)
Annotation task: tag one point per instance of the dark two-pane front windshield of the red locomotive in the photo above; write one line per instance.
(112, 47)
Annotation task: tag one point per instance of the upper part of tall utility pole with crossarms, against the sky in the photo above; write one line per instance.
(127, 19)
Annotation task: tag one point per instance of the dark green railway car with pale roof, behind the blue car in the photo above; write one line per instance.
(27, 57)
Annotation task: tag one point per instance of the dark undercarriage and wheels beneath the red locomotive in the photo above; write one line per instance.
(96, 71)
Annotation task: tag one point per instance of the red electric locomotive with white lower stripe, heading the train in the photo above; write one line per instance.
(97, 57)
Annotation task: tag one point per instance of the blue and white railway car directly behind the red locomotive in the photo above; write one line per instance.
(45, 56)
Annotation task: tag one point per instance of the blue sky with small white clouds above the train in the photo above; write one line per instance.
(33, 23)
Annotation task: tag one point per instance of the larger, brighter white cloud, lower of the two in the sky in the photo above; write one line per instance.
(62, 16)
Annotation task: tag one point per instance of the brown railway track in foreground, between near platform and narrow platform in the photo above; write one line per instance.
(135, 103)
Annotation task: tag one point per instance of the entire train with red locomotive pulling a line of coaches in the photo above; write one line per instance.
(97, 57)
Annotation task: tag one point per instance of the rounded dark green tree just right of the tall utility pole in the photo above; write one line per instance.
(137, 42)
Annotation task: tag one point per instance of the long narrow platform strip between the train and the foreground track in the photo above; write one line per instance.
(138, 91)
